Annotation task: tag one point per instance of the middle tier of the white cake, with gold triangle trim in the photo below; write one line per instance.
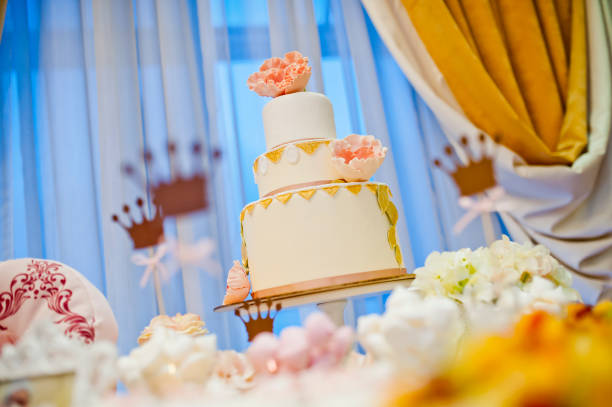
(293, 165)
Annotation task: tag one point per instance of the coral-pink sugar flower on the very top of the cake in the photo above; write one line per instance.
(281, 76)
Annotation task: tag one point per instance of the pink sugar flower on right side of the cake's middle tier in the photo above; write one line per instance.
(357, 157)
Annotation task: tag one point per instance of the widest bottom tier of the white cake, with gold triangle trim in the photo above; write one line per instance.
(320, 236)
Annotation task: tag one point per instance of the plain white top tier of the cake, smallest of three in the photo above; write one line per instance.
(298, 116)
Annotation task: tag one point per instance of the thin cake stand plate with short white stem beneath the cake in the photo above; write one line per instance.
(331, 299)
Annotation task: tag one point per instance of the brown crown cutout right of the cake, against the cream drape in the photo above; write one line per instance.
(475, 177)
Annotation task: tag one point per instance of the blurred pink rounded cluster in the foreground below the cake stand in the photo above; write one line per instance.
(319, 344)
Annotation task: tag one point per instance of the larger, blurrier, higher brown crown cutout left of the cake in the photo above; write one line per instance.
(182, 194)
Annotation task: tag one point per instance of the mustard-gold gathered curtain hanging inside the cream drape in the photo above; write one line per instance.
(518, 69)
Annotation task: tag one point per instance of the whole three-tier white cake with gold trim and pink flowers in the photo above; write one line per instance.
(312, 226)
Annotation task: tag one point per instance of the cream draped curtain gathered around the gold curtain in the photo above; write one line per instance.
(566, 208)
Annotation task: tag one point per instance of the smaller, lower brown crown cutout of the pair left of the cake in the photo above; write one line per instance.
(148, 232)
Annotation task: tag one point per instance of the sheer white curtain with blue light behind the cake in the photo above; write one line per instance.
(87, 85)
